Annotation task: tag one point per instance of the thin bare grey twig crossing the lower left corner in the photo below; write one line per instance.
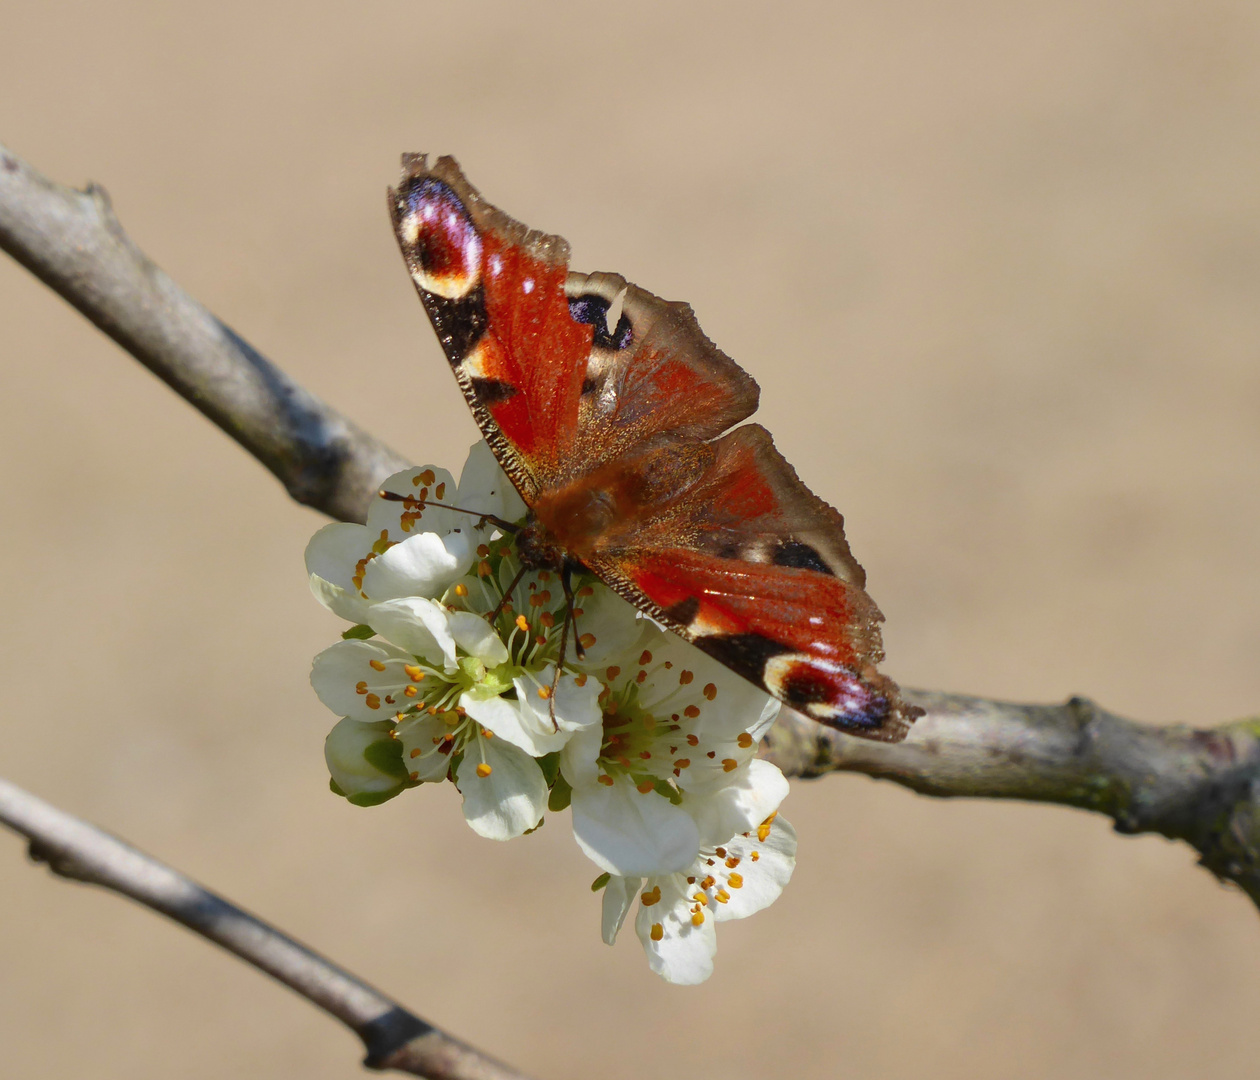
(395, 1039)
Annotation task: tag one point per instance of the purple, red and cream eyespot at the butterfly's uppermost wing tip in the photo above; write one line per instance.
(440, 240)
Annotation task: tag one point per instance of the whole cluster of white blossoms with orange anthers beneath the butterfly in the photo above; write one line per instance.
(648, 740)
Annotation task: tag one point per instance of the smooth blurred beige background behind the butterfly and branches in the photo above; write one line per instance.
(996, 267)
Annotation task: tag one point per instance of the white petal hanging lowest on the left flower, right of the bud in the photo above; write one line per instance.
(511, 800)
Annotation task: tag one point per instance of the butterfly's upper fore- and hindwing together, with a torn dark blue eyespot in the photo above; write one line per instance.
(551, 386)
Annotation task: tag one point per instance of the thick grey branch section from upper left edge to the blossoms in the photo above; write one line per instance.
(75, 245)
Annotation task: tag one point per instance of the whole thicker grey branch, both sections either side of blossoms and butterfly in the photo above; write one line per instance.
(1198, 786)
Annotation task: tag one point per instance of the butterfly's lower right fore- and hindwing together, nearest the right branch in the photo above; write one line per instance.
(754, 569)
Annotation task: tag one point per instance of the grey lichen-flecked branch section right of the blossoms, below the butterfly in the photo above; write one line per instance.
(1200, 786)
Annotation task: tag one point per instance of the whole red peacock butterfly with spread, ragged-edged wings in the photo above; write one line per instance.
(616, 419)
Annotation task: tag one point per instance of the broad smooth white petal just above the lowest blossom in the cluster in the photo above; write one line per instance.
(631, 834)
